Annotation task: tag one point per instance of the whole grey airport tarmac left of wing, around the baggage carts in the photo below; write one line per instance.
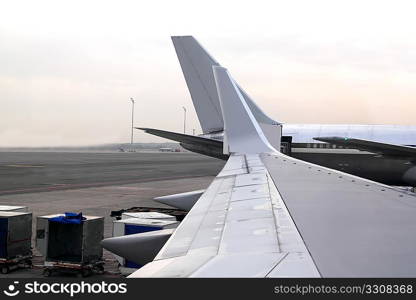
(96, 184)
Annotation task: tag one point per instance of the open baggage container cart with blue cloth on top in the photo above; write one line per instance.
(70, 243)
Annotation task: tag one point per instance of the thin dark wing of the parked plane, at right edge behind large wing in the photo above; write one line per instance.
(371, 146)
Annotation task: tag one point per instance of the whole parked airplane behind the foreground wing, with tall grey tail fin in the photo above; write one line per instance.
(383, 153)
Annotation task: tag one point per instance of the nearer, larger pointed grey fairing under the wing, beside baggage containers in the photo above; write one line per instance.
(140, 248)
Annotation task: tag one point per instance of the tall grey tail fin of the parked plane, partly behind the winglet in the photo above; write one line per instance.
(197, 64)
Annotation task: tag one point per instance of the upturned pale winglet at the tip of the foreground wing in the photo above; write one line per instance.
(242, 132)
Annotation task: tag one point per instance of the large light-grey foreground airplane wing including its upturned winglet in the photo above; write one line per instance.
(270, 215)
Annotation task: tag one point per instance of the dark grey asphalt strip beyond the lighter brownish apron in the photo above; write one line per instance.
(27, 172)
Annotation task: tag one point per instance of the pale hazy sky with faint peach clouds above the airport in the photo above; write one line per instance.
(69, 68)
